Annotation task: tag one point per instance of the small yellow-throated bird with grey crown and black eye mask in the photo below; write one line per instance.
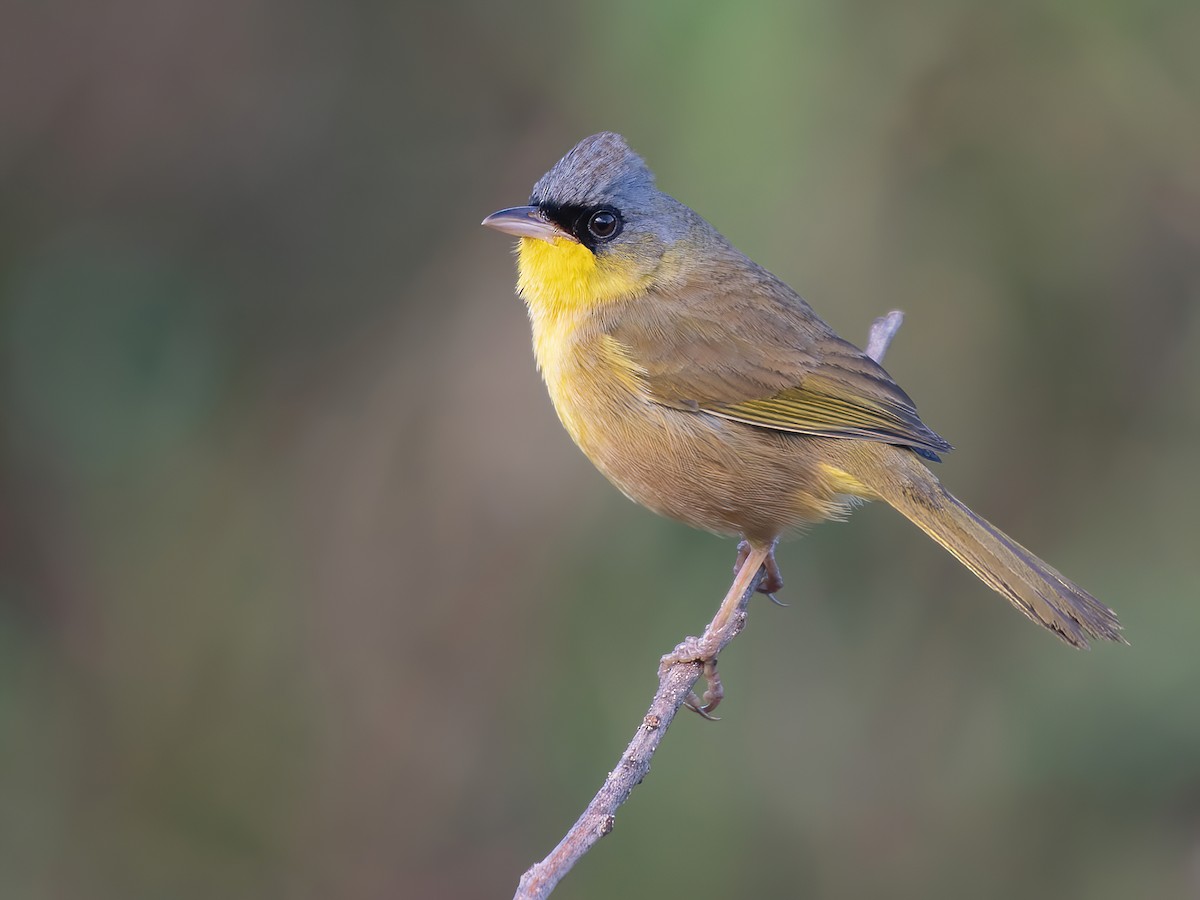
(710, 392)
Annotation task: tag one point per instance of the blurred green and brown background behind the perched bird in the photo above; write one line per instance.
(305, 593)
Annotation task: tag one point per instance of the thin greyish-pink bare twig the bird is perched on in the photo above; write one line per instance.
(676, 682)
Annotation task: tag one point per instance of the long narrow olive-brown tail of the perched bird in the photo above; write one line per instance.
(1033, 586)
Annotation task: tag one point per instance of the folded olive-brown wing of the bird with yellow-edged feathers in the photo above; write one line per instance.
(746, 347)
